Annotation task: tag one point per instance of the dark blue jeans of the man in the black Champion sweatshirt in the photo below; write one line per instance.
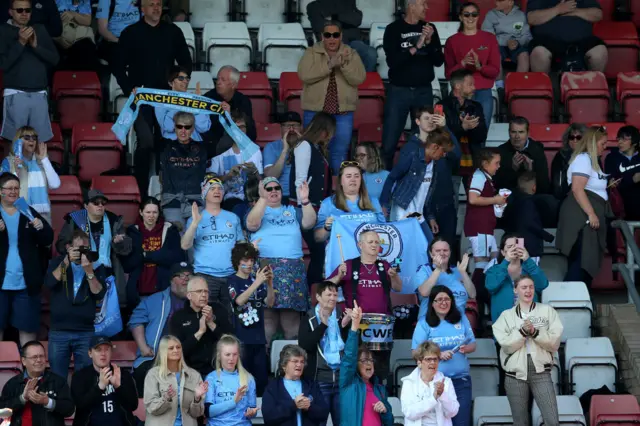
(400, 101)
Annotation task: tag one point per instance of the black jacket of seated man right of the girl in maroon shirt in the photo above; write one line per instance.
(507, 177)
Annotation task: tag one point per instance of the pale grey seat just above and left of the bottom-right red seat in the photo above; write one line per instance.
(590, 363)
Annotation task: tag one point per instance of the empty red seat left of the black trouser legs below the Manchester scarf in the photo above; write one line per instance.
(96, 149)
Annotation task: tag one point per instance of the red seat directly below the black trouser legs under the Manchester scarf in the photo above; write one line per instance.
(123, 195)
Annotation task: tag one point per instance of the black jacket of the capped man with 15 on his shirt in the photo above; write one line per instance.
(87, 394)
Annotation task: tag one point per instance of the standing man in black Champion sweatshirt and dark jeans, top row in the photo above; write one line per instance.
(413, 48)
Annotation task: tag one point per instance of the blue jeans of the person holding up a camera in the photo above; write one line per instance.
(62, 344)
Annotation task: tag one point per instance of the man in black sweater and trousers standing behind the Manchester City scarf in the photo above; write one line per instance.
(146, 52)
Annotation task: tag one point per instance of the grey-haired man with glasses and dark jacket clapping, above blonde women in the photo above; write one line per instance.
(199, 326)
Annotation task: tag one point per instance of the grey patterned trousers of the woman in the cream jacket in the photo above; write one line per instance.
(544, 393)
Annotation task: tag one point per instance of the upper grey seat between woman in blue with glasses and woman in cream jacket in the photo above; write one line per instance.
(485, 369)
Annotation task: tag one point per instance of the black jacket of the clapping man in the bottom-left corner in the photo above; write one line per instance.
(54, 386)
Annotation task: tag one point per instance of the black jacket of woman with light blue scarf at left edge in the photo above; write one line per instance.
(30, 244)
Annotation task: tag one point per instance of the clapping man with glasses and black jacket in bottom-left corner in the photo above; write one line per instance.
(37, 397)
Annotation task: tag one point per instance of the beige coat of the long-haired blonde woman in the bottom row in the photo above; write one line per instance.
(163, 413)
